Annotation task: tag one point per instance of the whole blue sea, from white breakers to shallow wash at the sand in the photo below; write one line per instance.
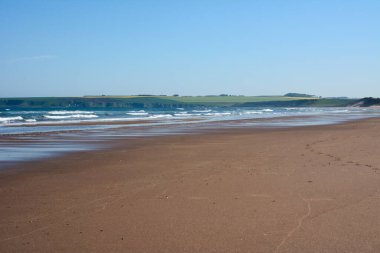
(39, 133)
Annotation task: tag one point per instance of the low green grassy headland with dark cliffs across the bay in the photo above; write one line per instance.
(167, 101)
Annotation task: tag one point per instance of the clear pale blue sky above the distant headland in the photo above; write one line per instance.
(262, 47)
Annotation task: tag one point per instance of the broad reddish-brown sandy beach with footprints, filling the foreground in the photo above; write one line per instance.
(302, 189)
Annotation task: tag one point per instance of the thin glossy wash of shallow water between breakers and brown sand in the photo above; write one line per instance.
(82, 140)
